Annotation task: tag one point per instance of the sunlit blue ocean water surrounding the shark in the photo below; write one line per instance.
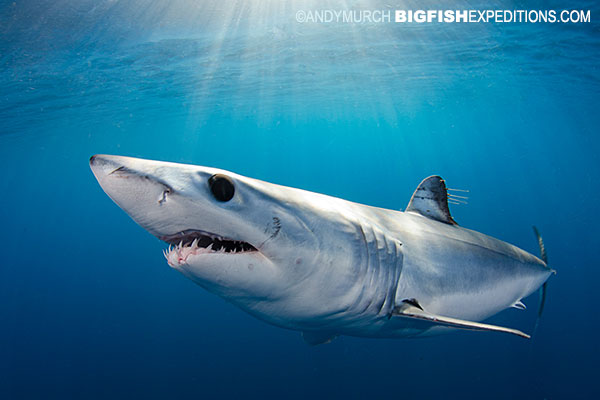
(88, 305)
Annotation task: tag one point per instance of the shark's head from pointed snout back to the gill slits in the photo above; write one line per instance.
(254, 243)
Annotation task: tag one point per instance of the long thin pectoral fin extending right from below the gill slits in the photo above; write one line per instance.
(410, 308)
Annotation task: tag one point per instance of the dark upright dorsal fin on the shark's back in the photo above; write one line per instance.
(431, 200)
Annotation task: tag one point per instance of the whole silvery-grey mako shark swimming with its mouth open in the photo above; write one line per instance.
(319, 264)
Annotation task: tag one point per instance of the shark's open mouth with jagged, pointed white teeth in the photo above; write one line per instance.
(195, 242)
